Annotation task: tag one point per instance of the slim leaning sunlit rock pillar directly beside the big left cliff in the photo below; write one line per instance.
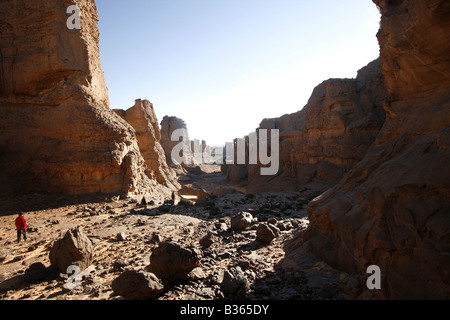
(143, 119)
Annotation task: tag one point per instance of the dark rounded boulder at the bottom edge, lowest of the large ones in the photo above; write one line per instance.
(137, 285)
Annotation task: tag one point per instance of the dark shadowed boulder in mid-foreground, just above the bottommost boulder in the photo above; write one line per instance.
(171, 262)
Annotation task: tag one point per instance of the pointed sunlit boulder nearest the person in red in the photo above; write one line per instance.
(74, 248)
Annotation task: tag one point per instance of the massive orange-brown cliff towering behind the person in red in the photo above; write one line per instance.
(57, 133)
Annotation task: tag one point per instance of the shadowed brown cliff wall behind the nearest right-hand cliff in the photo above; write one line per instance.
(326, 138)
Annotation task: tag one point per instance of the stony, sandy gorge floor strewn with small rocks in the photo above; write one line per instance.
(242, 238)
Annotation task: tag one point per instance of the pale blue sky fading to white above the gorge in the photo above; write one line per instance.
(225, 65)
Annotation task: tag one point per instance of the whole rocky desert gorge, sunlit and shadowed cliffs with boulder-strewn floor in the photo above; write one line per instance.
(363, 179)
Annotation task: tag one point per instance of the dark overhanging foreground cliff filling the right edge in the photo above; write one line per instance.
(392, 209)
